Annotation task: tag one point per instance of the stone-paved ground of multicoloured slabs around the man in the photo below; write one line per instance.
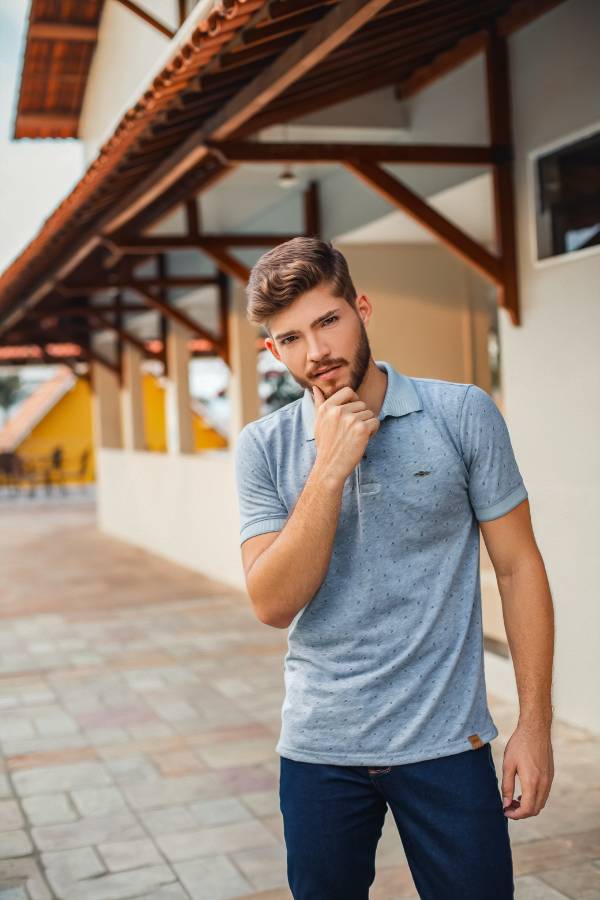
(139, 710)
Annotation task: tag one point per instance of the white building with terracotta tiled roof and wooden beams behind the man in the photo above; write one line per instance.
(449, 147)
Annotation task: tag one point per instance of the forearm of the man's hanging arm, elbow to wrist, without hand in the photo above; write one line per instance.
(529, 622)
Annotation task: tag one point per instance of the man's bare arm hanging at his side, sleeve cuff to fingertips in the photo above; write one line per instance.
(529, 621)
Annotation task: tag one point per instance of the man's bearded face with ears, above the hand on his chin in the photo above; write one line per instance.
(320, 331)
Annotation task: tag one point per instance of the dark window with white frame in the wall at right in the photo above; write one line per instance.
(568, 198)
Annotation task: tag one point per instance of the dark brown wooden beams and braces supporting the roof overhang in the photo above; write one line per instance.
(118, 241)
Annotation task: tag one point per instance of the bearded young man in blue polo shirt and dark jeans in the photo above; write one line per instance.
(361, 505)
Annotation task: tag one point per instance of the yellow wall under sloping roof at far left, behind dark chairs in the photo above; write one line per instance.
(68, 425)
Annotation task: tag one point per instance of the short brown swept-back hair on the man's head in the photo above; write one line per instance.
(291, 269)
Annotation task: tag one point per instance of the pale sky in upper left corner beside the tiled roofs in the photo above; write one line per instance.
(35, 175)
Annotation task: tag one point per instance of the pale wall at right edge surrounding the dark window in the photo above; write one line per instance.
(551, 364)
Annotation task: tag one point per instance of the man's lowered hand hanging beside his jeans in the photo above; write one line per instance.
(528, 754)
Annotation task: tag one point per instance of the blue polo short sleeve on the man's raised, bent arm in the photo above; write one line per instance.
(261, 509)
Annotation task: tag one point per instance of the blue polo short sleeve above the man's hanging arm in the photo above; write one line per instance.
(495, 483)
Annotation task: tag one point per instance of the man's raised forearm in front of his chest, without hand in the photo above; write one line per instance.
(288, 574)
